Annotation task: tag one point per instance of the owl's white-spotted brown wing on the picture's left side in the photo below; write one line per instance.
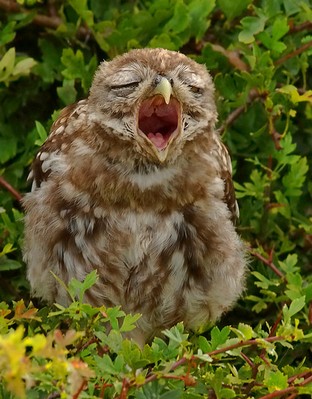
(43, 163)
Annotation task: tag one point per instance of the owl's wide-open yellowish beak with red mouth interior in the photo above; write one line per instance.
(159, 119)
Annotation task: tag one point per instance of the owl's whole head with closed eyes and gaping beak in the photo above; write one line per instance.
(154, 98)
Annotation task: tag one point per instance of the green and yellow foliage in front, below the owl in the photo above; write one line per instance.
(80, 351)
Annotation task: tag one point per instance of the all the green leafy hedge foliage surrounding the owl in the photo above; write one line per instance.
(259, 53)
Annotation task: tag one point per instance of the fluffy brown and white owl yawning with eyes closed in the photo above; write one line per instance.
(134, 182)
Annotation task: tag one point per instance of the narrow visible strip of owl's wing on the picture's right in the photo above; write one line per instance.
(226, 175)
